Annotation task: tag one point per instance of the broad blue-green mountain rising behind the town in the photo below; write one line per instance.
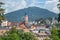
(32, 12)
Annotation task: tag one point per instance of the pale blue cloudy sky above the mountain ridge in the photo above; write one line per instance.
(13, 5)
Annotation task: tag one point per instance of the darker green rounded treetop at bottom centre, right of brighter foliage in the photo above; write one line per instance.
(27, 36)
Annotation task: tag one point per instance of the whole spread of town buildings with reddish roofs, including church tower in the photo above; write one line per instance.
(40, 28)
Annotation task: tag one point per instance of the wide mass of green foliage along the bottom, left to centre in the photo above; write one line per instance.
(15, 34)
